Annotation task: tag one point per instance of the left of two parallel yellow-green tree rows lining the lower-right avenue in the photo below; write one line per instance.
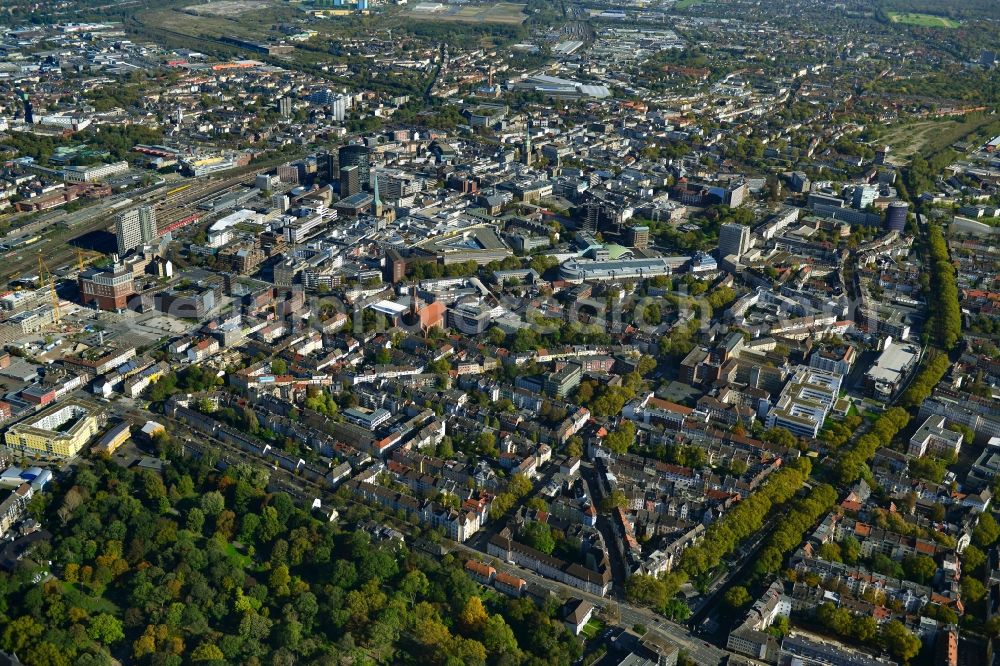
(746, 518)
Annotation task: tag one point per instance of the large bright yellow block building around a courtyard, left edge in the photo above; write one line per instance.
(61, 431)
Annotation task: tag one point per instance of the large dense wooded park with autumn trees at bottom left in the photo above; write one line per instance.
(199, 566)
